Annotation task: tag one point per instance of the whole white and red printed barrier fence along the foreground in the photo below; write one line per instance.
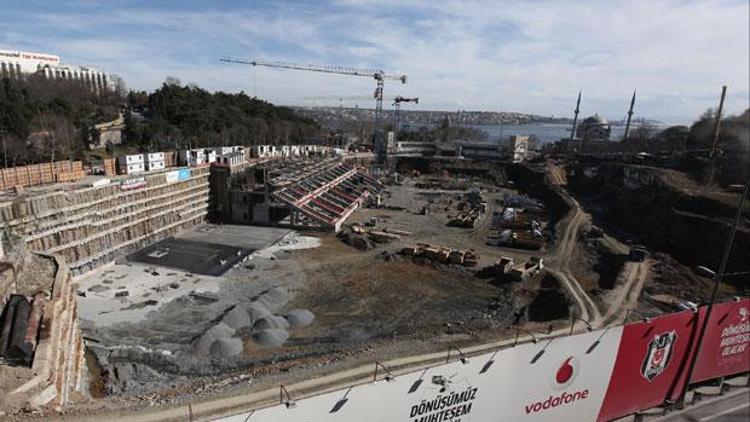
(600, 375)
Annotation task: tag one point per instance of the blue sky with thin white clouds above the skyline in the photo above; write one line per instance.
(528, 56)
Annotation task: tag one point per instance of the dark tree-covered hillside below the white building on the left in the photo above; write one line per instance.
(43, 120)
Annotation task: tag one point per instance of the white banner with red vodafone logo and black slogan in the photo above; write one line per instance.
(563, 379)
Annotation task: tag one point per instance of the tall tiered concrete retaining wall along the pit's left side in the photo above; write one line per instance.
(89, 226)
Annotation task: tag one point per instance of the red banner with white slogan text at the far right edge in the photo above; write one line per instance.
(726, 345)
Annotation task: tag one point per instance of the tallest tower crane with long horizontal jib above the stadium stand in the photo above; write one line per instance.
(379, 75)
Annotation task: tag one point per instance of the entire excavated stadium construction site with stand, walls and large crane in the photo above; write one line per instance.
(227, 271)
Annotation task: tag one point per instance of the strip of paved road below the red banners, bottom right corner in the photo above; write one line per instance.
(730, 408)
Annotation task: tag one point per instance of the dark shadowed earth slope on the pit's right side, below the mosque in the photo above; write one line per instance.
(665, 211)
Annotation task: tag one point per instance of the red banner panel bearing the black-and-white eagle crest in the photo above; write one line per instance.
(651, 364)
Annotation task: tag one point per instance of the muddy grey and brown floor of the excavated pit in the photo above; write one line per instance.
(362, 300)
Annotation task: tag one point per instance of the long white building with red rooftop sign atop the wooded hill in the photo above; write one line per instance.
(20, 64)
